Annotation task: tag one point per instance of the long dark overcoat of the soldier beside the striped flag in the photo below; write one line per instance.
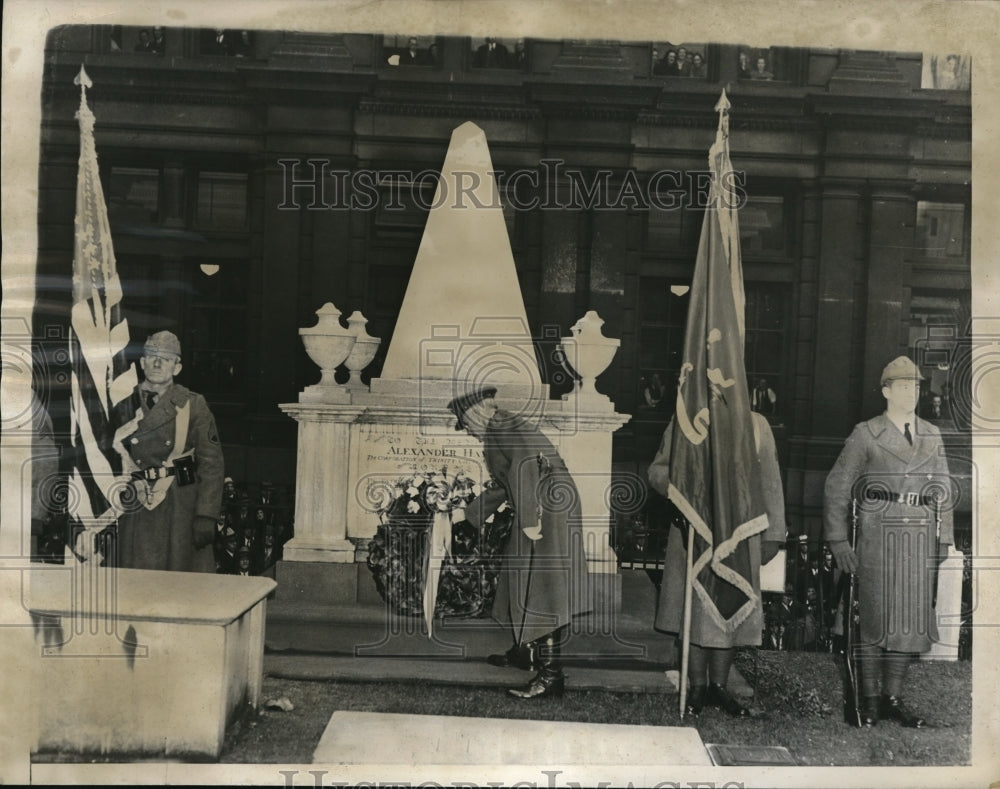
(162, 538)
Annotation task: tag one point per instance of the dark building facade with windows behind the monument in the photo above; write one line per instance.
(252, 176)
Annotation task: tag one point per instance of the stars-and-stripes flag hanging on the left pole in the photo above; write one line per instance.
(102, 410)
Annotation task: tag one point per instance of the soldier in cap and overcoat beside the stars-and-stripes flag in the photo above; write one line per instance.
(179, 471)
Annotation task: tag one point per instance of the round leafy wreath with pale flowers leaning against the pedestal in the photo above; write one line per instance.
(396, 555)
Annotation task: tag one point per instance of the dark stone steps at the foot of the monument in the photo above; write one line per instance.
(364, 643)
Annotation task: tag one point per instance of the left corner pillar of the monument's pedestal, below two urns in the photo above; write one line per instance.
(322, 484)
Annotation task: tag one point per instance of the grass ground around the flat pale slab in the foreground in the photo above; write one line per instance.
(798, 705)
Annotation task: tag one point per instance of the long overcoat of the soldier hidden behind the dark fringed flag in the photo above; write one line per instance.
(705, 631)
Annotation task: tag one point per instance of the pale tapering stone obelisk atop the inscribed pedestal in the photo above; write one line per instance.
(462, 324)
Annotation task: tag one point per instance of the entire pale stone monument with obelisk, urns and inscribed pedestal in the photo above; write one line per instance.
(462, 325)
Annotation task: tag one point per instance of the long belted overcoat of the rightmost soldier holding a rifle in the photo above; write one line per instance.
(896, 542)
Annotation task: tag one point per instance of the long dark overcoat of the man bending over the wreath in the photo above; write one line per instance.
(543, 583)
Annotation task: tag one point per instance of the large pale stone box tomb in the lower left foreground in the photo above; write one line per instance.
(143, 662)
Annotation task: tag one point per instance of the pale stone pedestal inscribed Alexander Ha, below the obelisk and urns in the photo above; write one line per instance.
(350, 456)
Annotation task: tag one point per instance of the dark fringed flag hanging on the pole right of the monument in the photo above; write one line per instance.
(714, 476)
